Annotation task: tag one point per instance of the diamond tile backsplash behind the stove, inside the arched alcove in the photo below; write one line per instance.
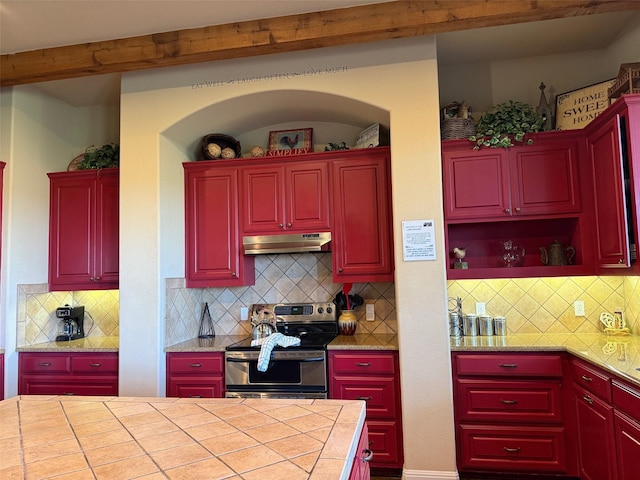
(304, 277)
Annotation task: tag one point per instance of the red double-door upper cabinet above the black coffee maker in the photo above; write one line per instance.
(83, 230)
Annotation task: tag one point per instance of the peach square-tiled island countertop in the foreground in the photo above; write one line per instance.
(126, 437)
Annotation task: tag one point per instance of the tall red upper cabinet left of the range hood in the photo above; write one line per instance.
(213, 247)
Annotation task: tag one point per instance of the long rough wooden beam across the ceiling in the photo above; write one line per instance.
(390, 20)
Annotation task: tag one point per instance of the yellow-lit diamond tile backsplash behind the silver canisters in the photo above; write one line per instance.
(534, 305)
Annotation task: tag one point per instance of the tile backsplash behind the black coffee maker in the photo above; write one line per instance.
(37, 320)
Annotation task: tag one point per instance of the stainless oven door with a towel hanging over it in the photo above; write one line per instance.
(297, 371)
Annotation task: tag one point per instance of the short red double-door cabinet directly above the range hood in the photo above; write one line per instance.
(290, 197)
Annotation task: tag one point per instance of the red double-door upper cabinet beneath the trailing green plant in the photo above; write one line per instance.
(538, 179)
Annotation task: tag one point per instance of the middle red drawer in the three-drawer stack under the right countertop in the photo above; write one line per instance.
(509, 401)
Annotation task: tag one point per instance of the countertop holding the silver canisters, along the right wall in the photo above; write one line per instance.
(618, 354)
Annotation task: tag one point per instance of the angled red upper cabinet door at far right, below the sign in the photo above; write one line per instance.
(612, 240)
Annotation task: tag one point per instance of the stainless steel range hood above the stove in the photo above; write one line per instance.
(287, 243)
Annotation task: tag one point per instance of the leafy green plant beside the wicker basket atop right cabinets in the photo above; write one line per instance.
(506, 123)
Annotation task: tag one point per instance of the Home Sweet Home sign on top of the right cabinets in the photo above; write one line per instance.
(577, 108)
